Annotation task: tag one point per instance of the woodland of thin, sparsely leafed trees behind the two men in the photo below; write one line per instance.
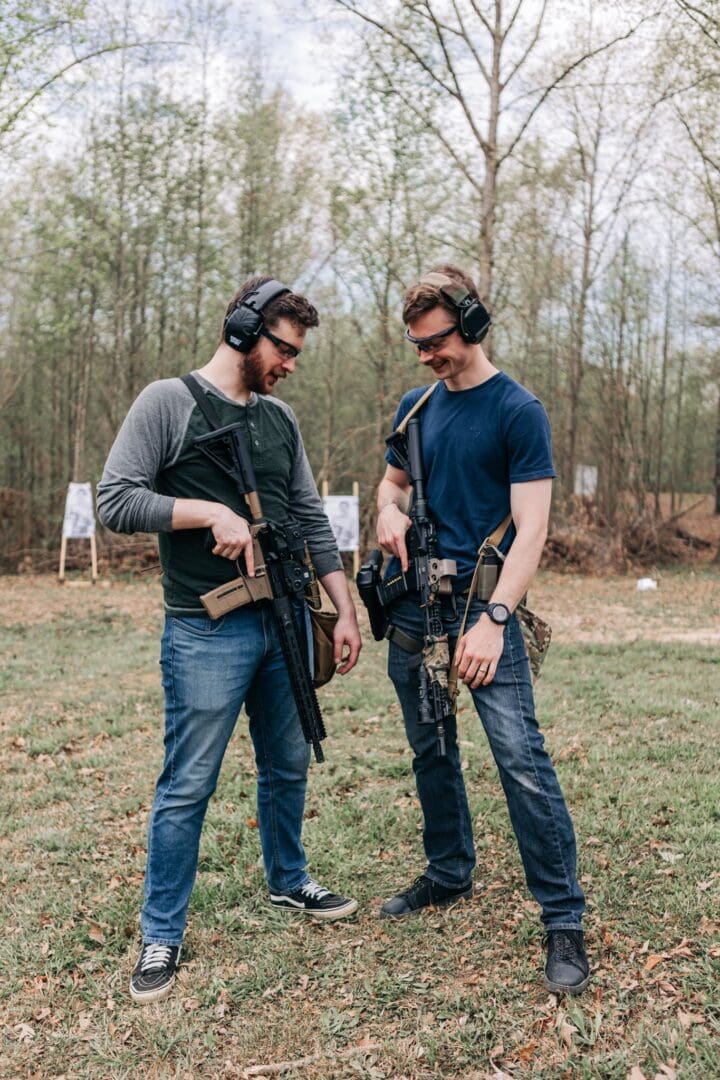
(579, 183)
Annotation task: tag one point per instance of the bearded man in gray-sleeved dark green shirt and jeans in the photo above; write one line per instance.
(156, 480)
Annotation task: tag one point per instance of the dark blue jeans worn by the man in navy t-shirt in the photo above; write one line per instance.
(537, 808)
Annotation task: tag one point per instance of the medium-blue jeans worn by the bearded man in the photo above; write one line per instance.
(211, 669)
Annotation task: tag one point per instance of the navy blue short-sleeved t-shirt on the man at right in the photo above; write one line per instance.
(476, 444)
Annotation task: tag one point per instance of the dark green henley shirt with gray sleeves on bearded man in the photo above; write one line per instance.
(154, 462)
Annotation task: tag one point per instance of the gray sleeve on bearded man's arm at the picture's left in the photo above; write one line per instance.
(147, 442)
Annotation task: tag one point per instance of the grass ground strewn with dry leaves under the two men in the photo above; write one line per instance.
(631, 706)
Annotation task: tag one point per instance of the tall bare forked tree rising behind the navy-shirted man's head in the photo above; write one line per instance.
(457, 46)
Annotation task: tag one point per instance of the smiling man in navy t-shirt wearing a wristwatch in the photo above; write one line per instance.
(487, 453)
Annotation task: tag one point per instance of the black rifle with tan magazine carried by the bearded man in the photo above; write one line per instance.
(281, 576)
